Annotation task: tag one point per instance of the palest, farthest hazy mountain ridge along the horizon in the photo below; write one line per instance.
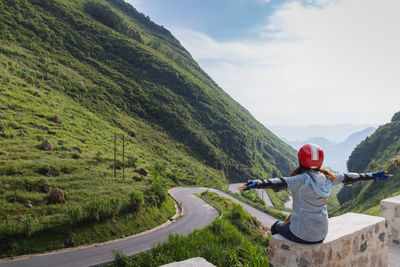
(335, 133)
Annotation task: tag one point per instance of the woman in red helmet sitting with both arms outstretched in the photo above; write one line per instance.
(310, 185)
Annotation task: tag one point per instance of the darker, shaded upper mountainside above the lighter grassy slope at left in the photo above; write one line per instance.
(139, 68)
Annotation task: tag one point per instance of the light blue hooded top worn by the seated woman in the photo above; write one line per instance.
(309, 219)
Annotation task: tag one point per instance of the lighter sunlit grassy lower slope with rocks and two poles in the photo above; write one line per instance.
(83, 179)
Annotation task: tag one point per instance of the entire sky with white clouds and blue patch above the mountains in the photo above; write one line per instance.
(294, 62)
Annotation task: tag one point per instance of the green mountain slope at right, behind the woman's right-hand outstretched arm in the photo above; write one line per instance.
(375, 153)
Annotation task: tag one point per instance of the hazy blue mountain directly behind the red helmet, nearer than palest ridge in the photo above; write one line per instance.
(336, 154)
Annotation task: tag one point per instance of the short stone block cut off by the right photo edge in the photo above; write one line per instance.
(390, 209)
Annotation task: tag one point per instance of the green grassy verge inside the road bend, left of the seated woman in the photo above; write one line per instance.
(235, 240)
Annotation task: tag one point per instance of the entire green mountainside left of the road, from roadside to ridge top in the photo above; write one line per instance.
(76, 72)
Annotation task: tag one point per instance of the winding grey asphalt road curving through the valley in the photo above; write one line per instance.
(196, 214)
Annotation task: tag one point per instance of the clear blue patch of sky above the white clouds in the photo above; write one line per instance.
(222, 19)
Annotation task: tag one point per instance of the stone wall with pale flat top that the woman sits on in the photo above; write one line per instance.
(353, 240)
